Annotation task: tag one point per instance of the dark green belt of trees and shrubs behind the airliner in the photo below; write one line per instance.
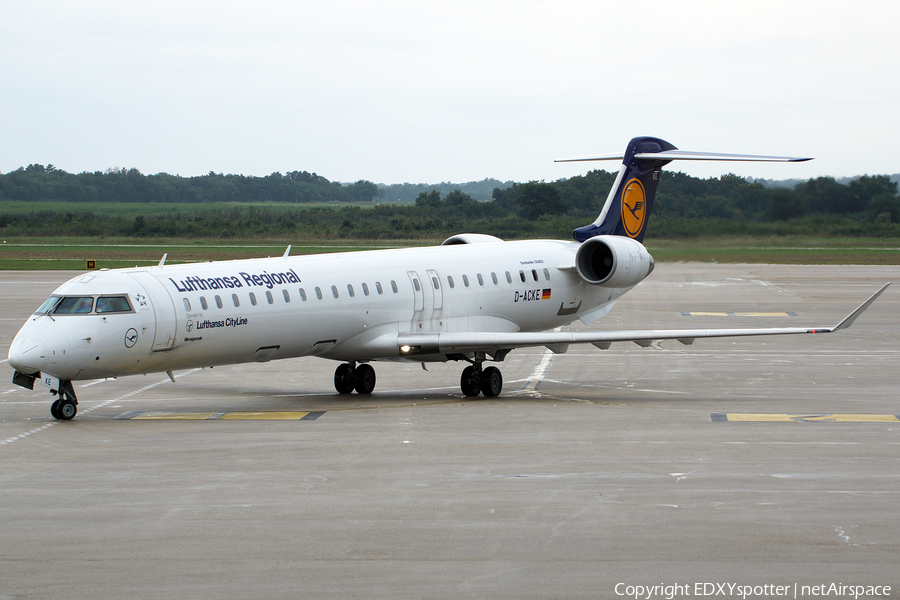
(684, 206)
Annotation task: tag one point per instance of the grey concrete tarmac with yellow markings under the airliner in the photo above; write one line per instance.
(755, 461)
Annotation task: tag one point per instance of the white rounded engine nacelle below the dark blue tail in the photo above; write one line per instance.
(613, 261)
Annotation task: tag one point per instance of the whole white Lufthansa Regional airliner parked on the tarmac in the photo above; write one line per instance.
(474, 298)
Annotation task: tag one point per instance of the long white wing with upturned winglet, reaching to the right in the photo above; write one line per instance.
(411, 344)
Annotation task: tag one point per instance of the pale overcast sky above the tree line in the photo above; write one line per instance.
(428, 91)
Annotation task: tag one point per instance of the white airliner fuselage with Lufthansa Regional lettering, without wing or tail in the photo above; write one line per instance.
(346, 306)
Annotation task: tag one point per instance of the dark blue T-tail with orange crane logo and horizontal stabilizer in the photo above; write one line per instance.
(627, 208)
